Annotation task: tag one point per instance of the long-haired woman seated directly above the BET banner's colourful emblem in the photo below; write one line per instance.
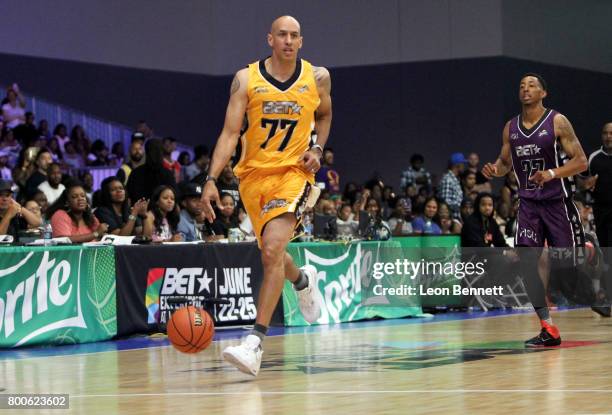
(163, 216)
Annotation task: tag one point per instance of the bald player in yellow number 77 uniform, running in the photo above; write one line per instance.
(284, 98)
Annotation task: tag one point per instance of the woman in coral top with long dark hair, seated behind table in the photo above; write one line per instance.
(71, 216)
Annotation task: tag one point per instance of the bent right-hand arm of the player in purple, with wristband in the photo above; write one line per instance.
(571, 146)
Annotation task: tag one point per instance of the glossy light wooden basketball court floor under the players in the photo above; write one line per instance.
(448, 364)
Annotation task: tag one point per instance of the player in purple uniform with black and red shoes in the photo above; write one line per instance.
(542, 148)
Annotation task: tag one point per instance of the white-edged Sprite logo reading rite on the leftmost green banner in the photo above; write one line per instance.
(39, 294)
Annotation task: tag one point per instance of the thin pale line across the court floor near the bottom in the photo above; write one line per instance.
(340, 392)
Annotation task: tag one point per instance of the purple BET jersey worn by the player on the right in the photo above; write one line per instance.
(536, 149)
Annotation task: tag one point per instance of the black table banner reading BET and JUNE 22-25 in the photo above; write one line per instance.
(148, 276)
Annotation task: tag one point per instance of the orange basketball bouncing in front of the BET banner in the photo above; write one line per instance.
(190, 329)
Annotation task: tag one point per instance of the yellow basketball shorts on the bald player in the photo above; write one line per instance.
(267, 195)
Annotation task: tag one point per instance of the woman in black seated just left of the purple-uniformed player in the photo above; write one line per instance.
(480, 228)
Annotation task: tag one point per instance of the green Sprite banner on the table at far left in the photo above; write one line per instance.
(57, 295)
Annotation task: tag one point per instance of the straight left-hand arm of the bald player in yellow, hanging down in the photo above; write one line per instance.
(226, 143)
